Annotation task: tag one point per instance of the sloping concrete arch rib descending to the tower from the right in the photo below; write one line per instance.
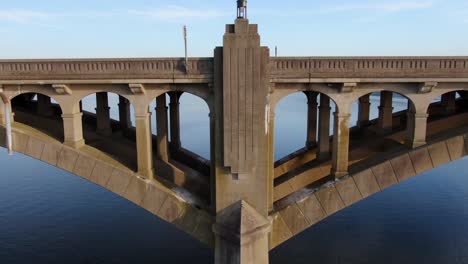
(335, 196)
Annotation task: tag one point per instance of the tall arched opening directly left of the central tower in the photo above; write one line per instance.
(181, 141)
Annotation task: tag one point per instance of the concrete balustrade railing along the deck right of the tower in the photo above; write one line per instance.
(369, 67)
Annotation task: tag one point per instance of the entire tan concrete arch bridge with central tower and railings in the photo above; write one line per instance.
(240, 202)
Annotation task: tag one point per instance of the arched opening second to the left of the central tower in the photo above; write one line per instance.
(109, 126)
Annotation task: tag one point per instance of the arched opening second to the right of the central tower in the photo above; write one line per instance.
(379, 123)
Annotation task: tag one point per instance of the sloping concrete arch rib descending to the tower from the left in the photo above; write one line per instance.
(150, 195)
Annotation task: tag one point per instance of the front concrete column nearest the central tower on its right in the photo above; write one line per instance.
(340, 153)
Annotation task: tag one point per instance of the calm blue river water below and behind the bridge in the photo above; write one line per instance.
(50, 216)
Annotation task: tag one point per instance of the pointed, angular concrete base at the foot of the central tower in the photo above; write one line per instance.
(241, 235)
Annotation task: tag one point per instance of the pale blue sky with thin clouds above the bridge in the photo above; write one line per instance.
(153, 28)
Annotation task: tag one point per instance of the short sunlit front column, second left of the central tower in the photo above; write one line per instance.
(72, 128)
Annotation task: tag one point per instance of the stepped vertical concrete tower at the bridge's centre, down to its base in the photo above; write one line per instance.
(242, 180)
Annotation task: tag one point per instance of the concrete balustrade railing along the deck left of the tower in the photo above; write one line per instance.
(82, 69)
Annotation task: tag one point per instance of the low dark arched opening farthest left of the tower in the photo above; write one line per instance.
(40, 112)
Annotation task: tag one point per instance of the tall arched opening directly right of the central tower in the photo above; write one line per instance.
(303, 141)
